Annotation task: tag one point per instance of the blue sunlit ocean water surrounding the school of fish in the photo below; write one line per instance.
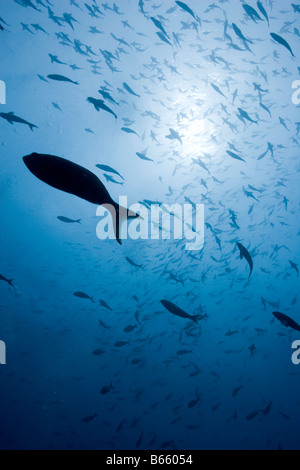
(212, 73)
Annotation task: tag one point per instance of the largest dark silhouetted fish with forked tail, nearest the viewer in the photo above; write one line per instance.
(74, 179)
